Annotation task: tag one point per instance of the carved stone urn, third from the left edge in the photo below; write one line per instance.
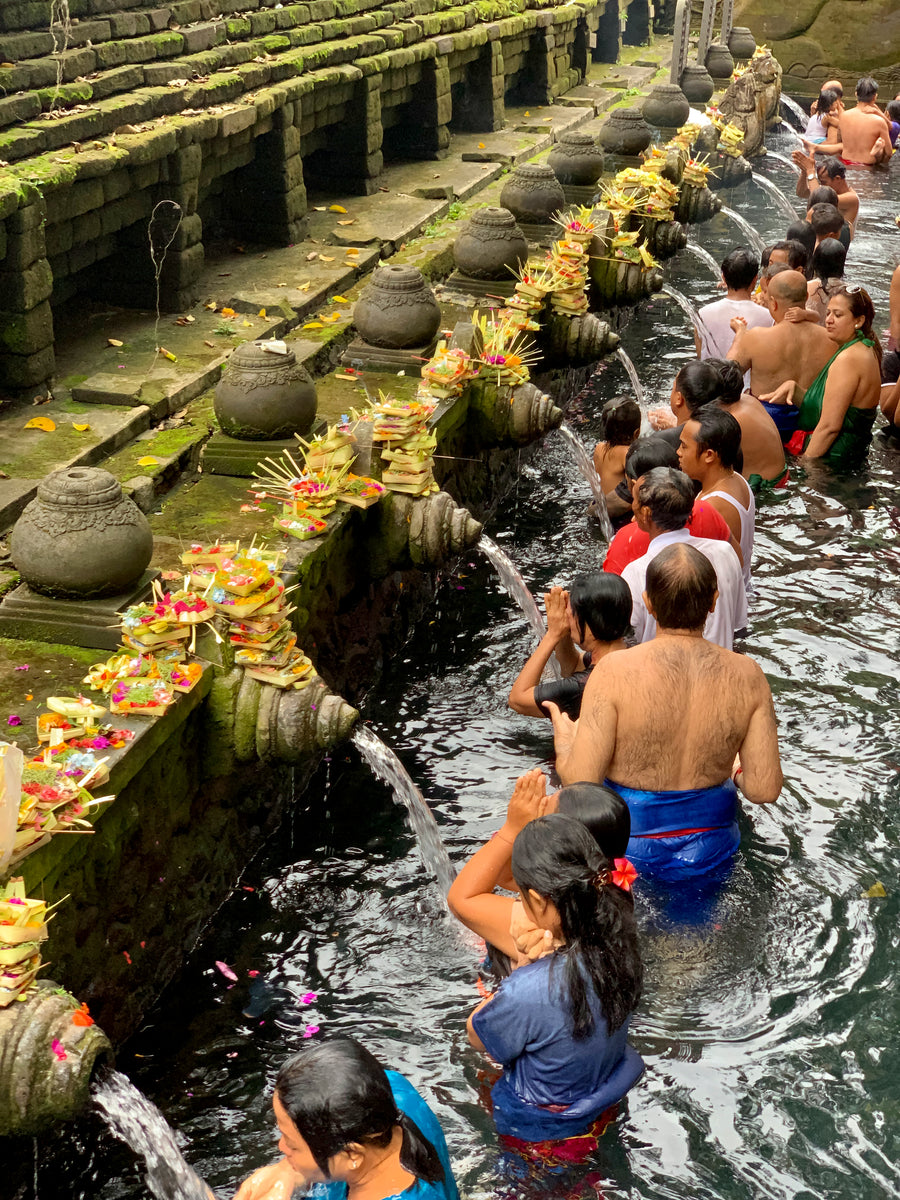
(398, 310)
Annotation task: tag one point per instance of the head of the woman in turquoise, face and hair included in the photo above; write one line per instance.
(335, 1112)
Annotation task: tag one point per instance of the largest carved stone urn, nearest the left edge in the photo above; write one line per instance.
(81, 538)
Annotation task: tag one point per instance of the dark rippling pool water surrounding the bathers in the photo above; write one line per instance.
(770, 1031)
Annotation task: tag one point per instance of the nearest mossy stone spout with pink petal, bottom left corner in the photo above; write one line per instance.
(46, 1061)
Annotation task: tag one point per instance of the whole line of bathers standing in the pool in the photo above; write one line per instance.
(661, 728)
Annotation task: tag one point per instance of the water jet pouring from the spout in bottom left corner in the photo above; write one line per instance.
(139, 1124)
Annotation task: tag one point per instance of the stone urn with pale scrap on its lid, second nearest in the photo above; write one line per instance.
(265, 394)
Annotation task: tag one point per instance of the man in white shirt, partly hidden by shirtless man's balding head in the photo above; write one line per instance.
(663, 505)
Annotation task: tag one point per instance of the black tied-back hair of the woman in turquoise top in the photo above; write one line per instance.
(337, 1094)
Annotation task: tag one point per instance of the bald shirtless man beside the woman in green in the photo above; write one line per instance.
(789, 350)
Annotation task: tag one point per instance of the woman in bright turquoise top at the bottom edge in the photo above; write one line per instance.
(352, 1131)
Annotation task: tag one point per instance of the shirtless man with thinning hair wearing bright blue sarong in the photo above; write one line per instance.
(663, 724)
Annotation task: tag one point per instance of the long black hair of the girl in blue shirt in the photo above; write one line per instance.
(557, 859)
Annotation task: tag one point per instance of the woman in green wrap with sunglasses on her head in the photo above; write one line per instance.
(838, 411)
